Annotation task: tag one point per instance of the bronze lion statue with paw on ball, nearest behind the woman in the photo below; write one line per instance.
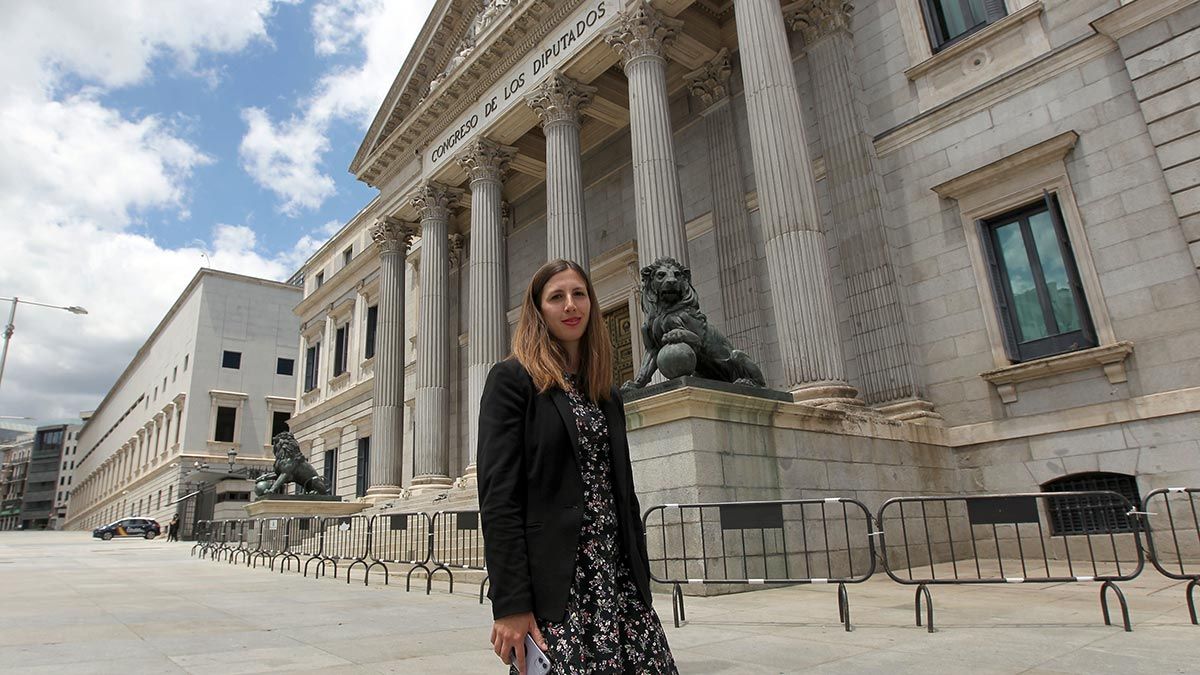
(677, 336)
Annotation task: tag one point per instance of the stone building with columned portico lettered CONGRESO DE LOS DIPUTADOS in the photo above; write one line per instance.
(969, 226)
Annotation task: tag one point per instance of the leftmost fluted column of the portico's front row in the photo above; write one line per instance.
(386, 473)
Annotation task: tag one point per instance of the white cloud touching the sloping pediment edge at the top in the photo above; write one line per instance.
(286, 157)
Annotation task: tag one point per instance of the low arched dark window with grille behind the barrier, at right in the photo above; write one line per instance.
(1090, 515)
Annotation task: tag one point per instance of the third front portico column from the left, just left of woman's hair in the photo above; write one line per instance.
(489, 331)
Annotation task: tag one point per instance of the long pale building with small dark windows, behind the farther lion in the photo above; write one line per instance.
(202, 397)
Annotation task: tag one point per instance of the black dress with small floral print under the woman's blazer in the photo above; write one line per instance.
(609, 628)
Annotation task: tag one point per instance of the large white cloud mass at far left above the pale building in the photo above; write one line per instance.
(76, 176)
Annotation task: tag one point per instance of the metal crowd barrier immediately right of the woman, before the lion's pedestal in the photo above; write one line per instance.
(824, 541)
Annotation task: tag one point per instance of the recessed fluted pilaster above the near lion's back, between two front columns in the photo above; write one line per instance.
(731, 223)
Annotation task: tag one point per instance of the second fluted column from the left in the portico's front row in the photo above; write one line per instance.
(431, 457)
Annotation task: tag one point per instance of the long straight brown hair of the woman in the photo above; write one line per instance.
(544, 357)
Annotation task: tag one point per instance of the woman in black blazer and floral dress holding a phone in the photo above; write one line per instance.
(562, 527)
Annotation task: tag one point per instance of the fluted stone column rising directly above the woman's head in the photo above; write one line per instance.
(559, 103)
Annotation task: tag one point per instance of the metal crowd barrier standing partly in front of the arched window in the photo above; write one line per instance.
(968, 540)
